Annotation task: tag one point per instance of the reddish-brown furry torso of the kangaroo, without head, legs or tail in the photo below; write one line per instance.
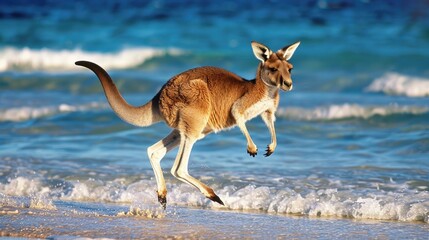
(207, 90)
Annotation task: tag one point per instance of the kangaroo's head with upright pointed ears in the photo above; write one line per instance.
(275, 69)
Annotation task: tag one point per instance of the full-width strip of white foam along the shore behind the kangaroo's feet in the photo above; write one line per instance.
(405, 205)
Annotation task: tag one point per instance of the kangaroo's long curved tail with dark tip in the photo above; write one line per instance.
(139, 116)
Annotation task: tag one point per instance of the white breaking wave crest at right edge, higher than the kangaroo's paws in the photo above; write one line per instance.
(398, 84)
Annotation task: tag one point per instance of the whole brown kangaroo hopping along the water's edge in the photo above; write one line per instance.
(203, 100)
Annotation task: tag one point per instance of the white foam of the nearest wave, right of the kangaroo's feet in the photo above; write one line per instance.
(333, 203)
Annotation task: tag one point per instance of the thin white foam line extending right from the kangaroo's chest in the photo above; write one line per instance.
(343, 111)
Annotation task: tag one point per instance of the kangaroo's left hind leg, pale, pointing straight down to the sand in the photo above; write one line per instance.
(156, 152)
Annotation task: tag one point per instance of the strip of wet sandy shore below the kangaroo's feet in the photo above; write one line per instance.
(95, 220)
